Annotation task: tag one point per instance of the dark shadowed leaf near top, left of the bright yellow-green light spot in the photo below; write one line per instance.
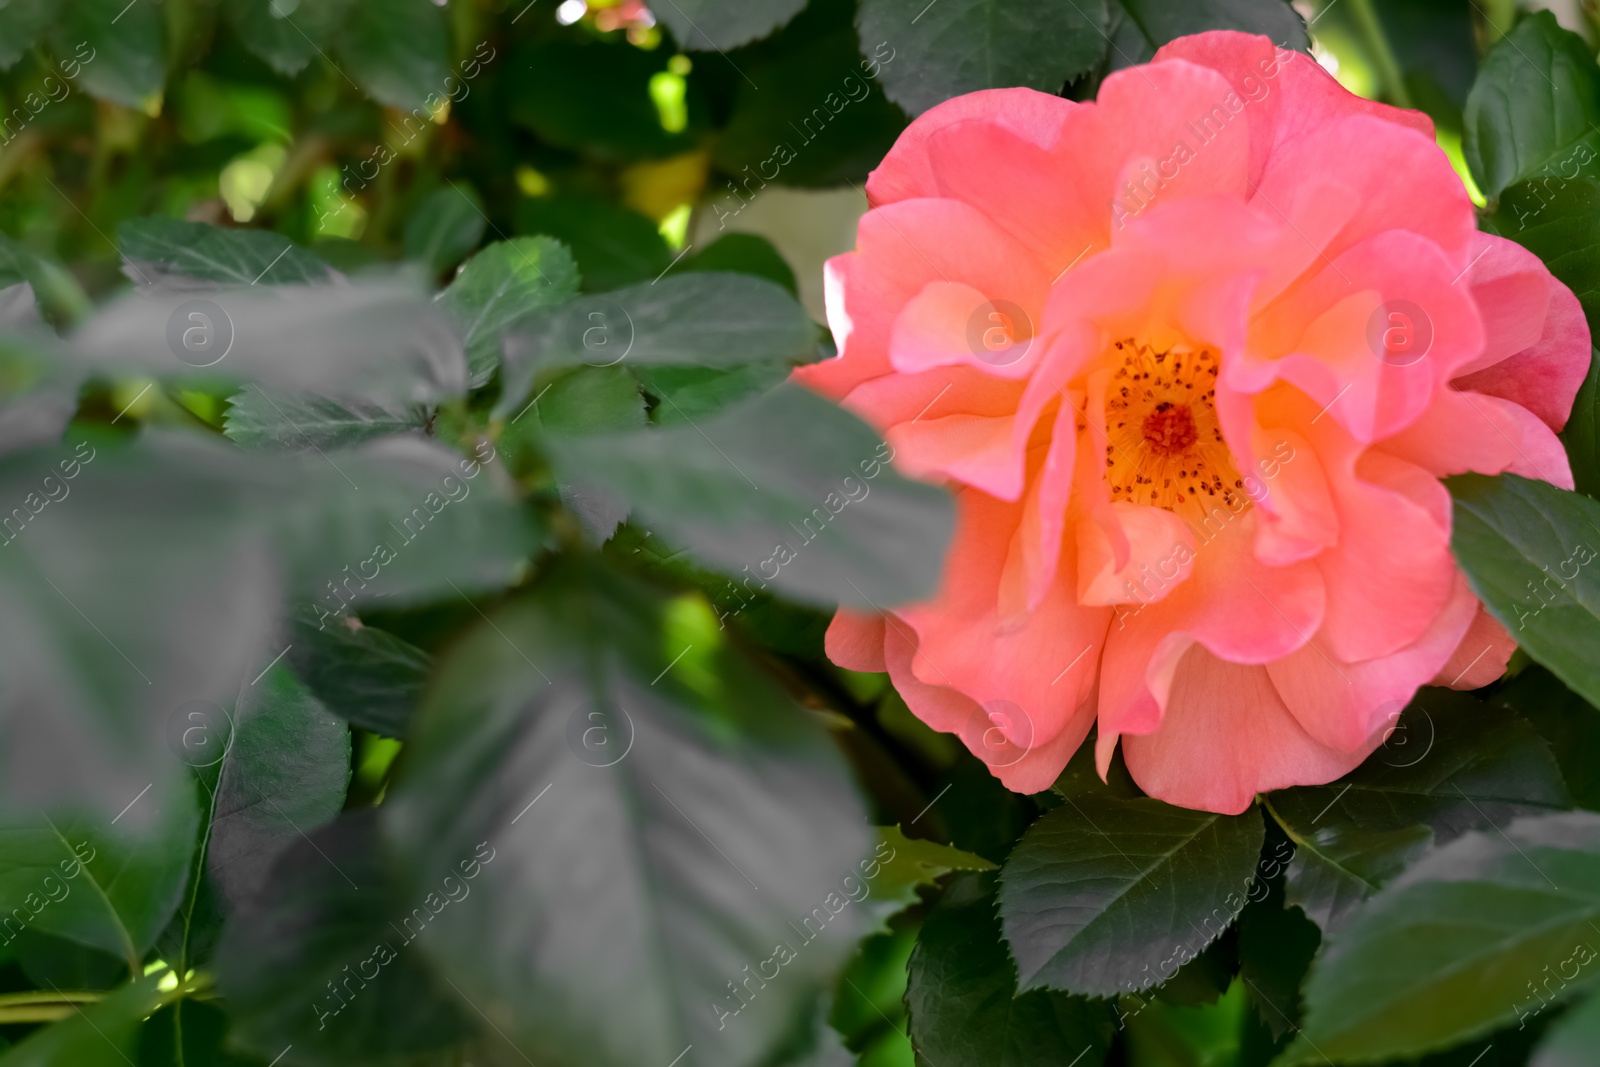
(594, 97)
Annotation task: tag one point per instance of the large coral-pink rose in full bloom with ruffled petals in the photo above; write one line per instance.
(1194, 359)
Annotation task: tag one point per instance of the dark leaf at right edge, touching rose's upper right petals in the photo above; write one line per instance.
(1559, 222)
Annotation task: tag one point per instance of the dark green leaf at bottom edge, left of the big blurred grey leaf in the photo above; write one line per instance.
(324, 957)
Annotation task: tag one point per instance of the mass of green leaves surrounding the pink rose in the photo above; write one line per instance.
(394, 689)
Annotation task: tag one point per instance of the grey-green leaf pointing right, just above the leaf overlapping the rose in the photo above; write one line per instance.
(690, 321)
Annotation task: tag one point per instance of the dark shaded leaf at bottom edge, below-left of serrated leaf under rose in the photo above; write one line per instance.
(966, 1007)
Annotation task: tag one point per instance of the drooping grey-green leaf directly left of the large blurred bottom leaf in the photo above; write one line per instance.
(284, 773)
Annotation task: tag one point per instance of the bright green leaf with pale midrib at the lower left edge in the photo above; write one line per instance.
(106, 884)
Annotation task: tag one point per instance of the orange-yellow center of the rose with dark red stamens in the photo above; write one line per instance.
(1166, 446)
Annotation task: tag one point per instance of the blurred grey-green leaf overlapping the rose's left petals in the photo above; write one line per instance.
(783, 490)
